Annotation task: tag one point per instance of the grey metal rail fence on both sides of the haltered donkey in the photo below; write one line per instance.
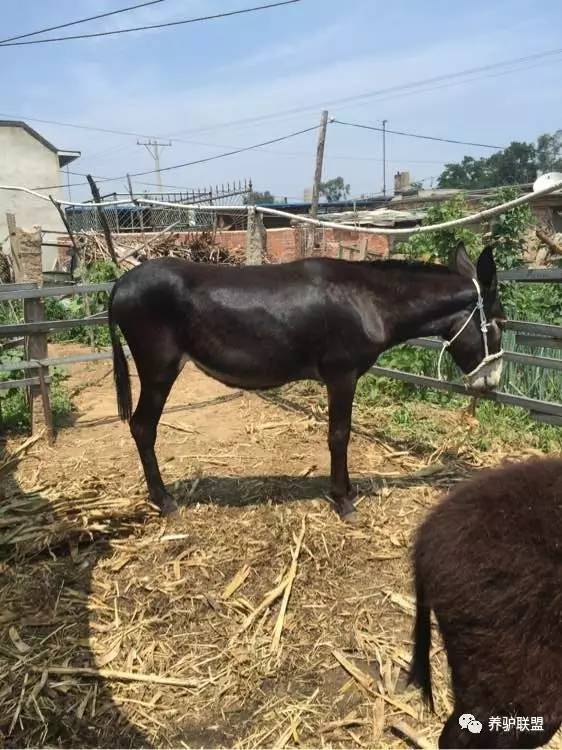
(527, 333)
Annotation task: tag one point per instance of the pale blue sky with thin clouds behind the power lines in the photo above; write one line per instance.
(192, 81)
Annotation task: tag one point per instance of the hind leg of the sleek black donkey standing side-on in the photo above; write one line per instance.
(144, 423)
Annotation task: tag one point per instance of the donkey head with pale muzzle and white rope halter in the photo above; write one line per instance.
(475, 343)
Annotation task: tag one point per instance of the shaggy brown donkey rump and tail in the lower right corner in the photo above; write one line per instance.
(488, 562)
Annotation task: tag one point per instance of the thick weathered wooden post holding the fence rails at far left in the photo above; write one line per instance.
(26, 247)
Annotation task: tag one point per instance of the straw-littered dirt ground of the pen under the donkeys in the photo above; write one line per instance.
(254, 618)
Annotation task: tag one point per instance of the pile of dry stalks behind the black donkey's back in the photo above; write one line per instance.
(200, 247)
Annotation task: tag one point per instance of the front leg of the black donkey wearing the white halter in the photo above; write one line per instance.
(341, 390)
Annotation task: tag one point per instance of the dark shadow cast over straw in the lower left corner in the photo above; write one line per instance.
(45, 621)
